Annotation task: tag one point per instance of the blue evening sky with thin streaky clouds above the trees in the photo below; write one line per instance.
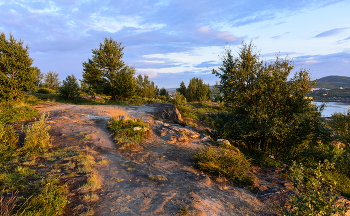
(175, 40)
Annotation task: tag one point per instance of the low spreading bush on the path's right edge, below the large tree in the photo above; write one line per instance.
(225, 163)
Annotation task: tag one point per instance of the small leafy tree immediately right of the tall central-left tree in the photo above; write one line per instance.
(145, 87)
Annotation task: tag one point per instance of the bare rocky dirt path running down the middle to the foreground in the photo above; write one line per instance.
(158, 180)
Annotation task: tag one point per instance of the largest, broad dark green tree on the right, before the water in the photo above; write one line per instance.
(266, 110)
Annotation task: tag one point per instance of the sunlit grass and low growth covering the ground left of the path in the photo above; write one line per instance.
(31, 170)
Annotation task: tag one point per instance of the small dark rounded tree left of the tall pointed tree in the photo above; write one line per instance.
(70, 88)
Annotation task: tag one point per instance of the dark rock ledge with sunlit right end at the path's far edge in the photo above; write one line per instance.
(167, 111)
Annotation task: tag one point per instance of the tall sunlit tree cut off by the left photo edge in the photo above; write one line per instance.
(16, 73)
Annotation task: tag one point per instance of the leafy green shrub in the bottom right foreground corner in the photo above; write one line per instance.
(315, 195)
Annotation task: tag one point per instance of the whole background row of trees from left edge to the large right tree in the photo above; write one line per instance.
(105, 73)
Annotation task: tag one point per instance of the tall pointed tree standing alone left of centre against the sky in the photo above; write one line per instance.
(107, 73)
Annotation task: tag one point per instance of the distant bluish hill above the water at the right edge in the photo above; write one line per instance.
(333, 82)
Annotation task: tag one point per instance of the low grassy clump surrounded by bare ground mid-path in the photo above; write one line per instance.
(128, 133)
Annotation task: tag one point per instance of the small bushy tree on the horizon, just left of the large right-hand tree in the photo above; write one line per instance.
(197, 90)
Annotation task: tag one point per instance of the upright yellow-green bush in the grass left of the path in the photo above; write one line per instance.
(37, 138)
